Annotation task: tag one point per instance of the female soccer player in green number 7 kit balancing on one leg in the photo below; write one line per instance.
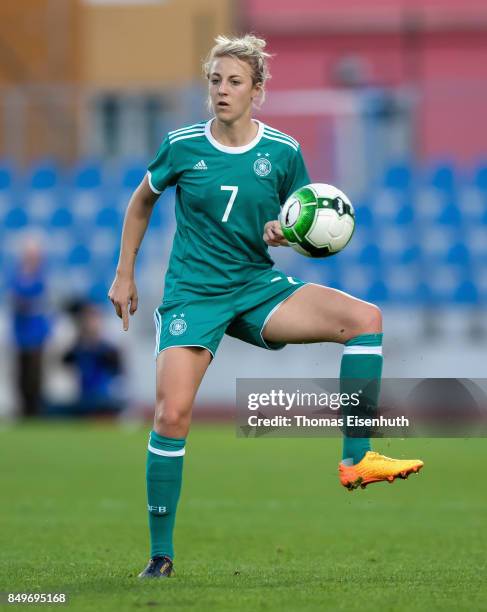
(232, 175)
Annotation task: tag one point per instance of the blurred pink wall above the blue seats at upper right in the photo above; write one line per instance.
(447, 58)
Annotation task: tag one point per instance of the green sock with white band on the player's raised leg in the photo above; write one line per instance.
(361, 368)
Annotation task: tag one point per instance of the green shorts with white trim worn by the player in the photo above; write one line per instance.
(202, 321)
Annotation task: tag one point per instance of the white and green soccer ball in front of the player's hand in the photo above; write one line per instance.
(317, 220)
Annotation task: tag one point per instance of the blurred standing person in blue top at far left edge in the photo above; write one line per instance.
(31, 324)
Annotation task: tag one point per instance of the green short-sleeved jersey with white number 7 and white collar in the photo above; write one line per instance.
(224, 197)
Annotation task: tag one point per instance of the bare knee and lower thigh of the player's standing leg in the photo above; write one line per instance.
(179, 372)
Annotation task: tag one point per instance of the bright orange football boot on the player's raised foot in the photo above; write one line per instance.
(375, 468)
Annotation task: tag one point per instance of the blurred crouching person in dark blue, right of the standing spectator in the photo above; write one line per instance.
(97, 364)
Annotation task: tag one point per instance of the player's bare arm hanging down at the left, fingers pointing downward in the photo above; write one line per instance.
(123, 290)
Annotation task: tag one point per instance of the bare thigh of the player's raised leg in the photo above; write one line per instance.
(319, 314)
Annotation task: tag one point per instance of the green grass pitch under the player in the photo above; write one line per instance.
(263, 524)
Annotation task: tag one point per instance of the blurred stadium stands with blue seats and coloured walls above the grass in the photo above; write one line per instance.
(387, 99)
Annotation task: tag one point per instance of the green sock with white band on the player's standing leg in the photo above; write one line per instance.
(164, 476)
